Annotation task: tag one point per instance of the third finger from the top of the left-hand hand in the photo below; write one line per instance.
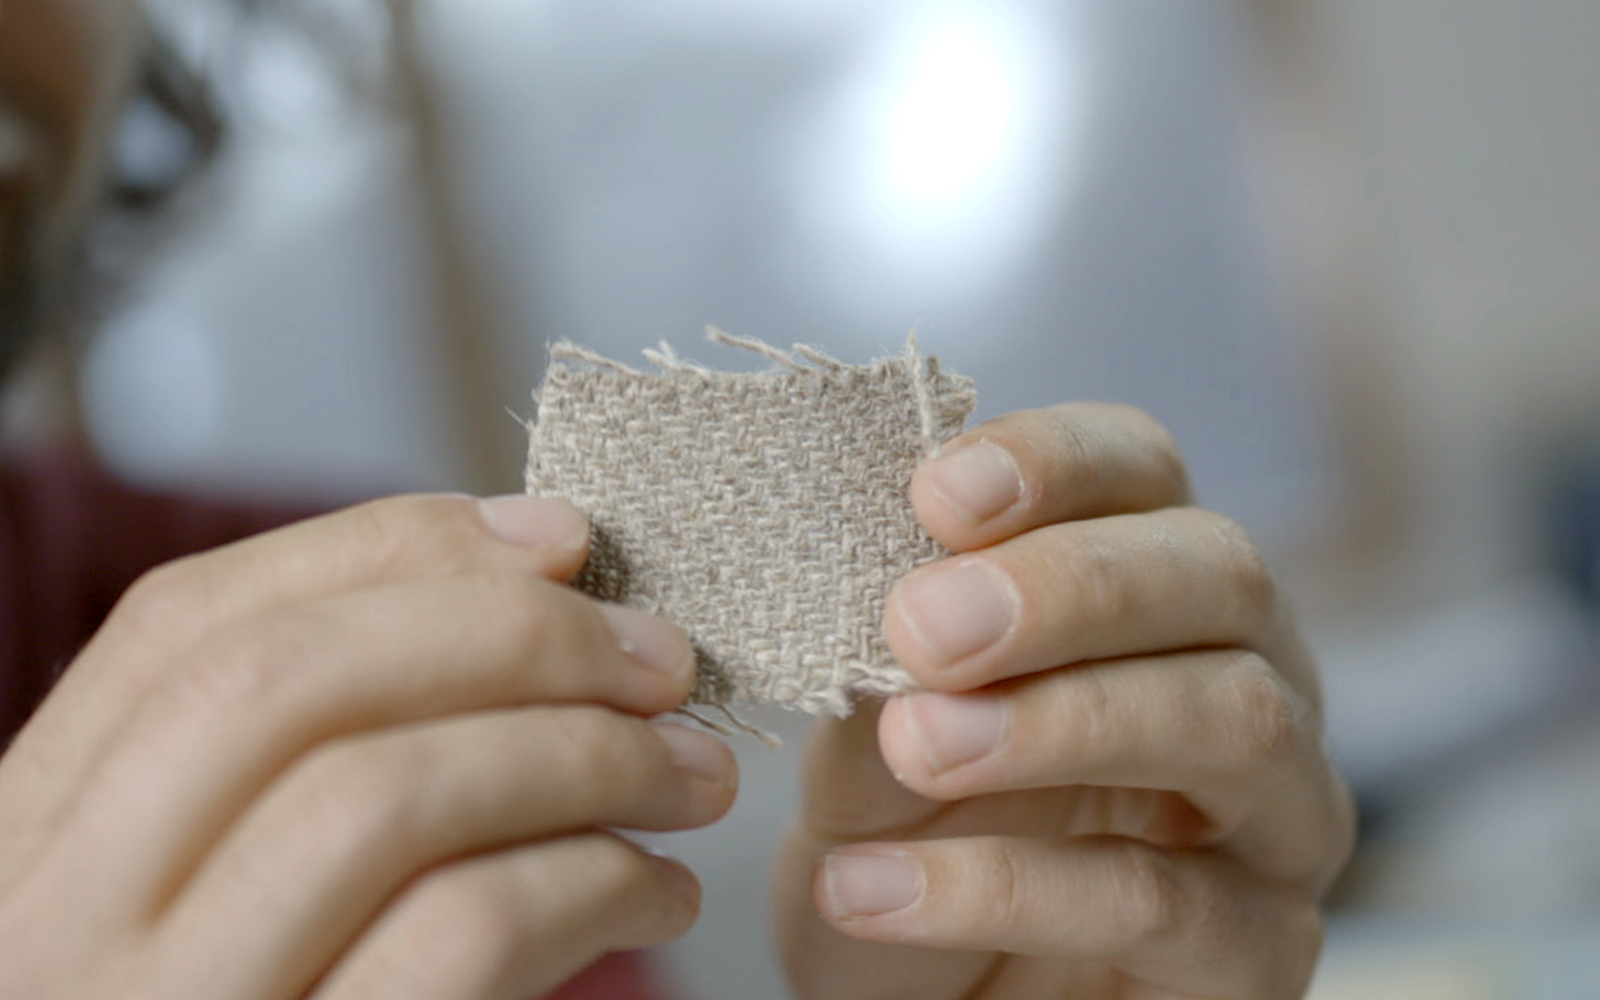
(334, 842)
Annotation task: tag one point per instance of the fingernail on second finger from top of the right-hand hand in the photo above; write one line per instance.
(959, 609)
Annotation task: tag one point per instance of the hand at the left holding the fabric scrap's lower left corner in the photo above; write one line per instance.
(377, 754)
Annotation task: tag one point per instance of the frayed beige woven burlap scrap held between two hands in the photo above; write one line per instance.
(764, 513)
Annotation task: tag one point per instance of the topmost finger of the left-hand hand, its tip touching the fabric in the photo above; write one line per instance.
(174, 607)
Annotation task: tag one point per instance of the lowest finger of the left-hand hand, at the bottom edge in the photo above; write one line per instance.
(519, 924)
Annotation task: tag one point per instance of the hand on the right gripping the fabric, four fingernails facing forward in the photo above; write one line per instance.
(1114, 785)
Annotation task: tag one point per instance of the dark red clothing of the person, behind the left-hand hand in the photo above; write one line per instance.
(71, 542)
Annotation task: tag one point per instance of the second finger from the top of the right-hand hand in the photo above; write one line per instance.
(1118, 586)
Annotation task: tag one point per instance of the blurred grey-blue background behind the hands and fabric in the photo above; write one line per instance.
(1348, 250)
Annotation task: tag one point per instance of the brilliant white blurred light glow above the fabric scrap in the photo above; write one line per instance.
(943, 156)
